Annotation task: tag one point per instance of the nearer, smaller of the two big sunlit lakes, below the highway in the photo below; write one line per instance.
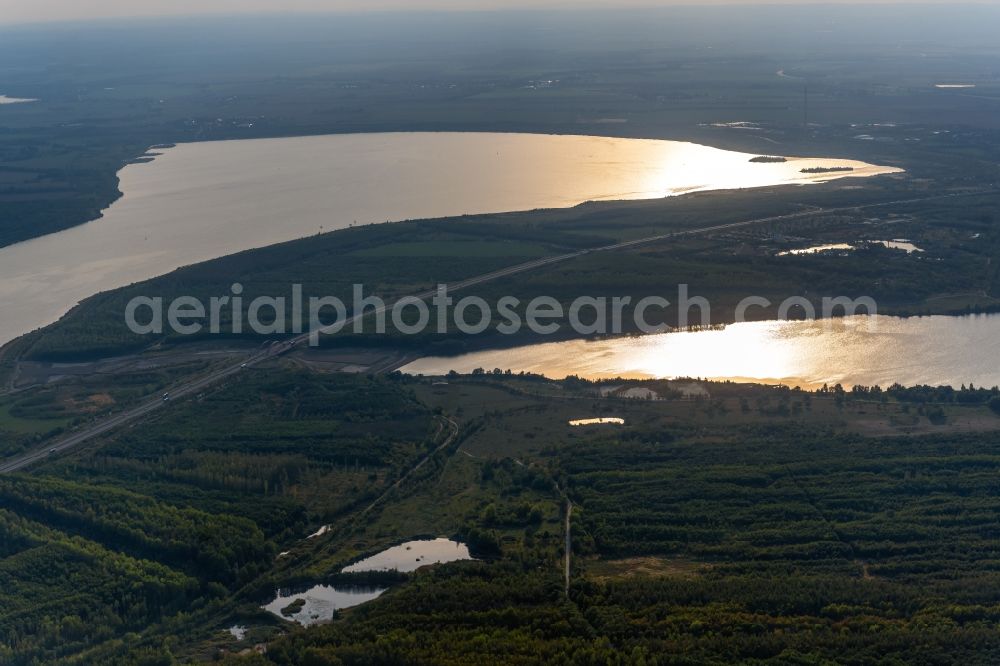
(856, 350)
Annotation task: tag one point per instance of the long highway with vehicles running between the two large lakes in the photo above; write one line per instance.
(198, 384)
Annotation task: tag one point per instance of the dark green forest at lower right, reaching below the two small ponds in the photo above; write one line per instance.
(772, 542)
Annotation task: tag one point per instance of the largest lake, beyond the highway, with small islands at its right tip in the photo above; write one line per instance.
(198, 201)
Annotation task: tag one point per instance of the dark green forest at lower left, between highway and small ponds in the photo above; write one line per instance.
(154, 532)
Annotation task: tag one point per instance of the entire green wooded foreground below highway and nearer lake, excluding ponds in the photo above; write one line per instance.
(702, 532)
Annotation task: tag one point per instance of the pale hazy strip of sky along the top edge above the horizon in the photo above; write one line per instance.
(24, 11)
